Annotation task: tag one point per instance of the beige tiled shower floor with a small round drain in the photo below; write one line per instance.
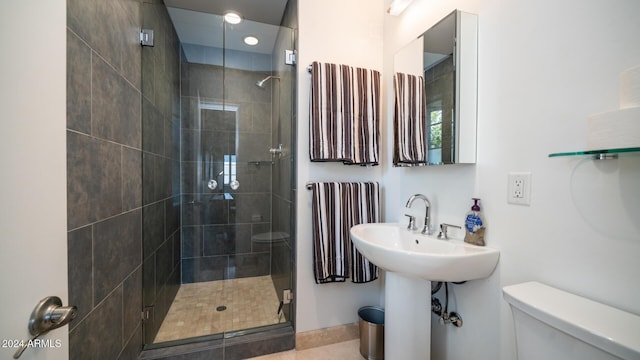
(250, 302)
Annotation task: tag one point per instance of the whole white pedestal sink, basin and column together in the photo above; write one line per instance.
(411, 261)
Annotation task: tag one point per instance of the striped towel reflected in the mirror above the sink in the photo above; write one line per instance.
(409, 121)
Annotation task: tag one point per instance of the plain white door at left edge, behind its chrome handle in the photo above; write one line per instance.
(33, 239)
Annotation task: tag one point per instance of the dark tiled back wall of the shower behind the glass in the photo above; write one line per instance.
(219, 225)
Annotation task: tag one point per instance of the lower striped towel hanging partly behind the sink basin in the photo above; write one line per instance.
(336, 208)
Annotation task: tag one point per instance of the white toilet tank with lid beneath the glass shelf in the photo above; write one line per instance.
(554, 324)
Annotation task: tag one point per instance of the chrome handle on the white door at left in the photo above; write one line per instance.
(49, 314)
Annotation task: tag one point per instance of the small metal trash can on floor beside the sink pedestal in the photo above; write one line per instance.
(371, 332)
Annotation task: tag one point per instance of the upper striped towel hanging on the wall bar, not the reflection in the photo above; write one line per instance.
(345, 113)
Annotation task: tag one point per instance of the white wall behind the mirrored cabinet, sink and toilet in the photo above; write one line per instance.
(544, 66)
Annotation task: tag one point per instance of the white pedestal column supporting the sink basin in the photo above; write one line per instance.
(407, 317)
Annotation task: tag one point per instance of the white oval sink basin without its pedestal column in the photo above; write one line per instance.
(394, 248)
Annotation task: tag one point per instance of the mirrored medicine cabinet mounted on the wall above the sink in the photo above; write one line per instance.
(446, 56)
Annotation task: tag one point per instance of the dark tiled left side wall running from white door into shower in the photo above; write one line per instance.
(105, 150)
